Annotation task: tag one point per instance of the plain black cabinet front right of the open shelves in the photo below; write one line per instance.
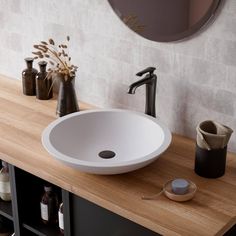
(93, 220)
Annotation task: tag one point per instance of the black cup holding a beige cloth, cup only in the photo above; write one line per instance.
(210, 163)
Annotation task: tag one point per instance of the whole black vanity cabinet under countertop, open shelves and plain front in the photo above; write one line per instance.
(81, 217)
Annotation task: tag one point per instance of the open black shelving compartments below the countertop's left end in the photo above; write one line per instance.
(23, 211)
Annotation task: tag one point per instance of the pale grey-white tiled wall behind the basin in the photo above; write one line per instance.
(196, 77)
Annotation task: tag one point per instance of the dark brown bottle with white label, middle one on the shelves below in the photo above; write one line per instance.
(49, 206)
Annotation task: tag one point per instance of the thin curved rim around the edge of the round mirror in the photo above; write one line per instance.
(208, 18)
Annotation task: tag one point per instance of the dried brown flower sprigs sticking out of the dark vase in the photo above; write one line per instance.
(57, 56)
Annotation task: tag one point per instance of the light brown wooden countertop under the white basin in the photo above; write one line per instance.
(211, 212)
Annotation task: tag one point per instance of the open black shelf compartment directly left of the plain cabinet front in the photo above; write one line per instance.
(29, 190)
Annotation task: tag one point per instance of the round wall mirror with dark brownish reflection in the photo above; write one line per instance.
(165, 20)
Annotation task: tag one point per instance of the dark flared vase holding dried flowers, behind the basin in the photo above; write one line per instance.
(67, 101)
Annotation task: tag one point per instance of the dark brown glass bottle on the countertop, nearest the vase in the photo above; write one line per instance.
(44, 89)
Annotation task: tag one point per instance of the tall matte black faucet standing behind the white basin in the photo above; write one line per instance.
(150, 80)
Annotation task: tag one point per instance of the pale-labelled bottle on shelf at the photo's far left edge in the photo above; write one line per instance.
(5, 190)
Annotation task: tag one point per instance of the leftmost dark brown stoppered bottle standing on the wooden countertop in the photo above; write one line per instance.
(28, 78)
